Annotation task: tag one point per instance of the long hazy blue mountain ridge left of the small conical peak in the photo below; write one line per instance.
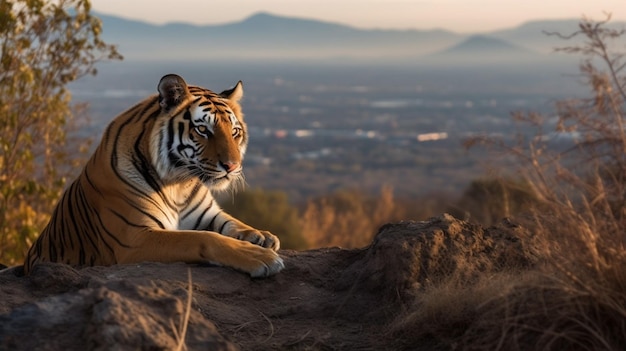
(268, 37)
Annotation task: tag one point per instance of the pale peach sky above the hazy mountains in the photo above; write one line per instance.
(463, 16)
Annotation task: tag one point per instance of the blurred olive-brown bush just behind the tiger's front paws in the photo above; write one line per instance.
(268, 210)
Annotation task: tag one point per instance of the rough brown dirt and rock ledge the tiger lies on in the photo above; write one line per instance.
(324, 299)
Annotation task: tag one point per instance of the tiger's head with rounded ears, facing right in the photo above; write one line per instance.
(200, 134)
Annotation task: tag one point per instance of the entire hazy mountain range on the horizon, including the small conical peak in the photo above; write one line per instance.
(267, 37)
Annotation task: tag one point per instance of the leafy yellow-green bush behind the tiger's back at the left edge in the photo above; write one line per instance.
(44, 45)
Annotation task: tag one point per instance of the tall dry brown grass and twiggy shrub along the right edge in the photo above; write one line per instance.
(576, 298)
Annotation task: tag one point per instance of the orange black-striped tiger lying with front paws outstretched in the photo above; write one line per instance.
(147, 191)
